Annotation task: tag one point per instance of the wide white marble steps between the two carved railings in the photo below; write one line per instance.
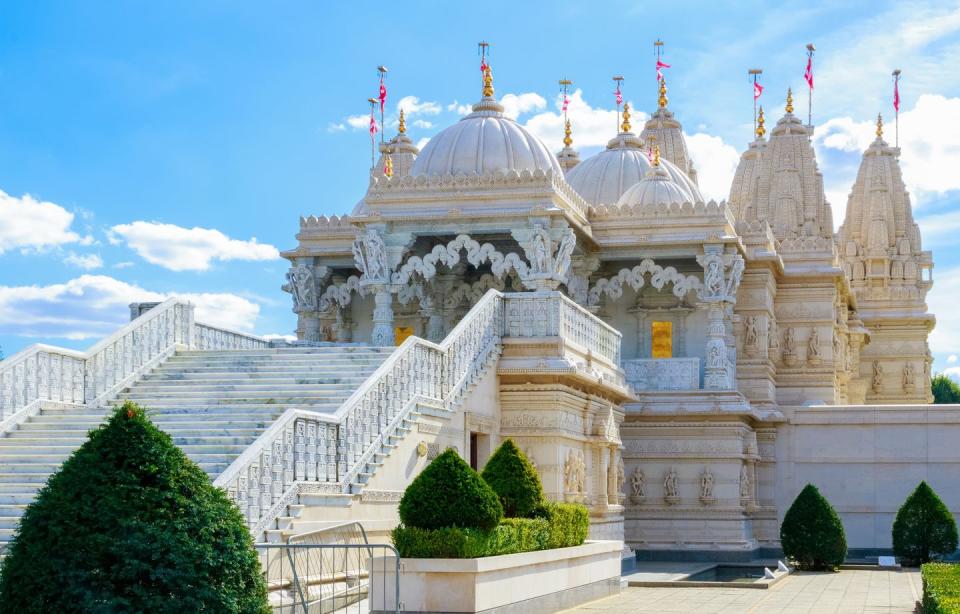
(214, 404)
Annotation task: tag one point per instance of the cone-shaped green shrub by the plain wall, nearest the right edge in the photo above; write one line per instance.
(924, 528)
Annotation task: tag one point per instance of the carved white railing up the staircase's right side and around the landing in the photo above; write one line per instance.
(305, 450)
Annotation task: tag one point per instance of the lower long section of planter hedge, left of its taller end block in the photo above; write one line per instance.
(512, 535)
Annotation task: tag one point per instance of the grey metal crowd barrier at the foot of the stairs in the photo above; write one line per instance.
(311, 578)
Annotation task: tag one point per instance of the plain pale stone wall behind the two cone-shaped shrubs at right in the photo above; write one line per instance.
(867, 459)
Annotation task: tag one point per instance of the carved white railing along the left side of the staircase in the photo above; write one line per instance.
(43, 373)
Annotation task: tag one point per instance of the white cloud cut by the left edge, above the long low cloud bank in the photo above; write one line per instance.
(27, 223)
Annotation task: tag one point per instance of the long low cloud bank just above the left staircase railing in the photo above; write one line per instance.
(93, 306)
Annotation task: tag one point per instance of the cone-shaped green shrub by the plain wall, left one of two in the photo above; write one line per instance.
(812, 534)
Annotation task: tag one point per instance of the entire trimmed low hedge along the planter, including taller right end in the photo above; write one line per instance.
(561, 525)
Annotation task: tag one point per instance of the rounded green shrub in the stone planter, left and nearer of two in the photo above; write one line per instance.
(448, 493)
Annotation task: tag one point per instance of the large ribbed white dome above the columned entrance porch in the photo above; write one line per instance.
(483, 142)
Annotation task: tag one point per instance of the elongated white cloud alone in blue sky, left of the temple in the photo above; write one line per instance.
(188, 249)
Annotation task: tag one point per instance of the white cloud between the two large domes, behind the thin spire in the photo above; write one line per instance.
(592, 127)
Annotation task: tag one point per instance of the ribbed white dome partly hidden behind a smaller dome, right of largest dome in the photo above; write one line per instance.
(603, 178)
